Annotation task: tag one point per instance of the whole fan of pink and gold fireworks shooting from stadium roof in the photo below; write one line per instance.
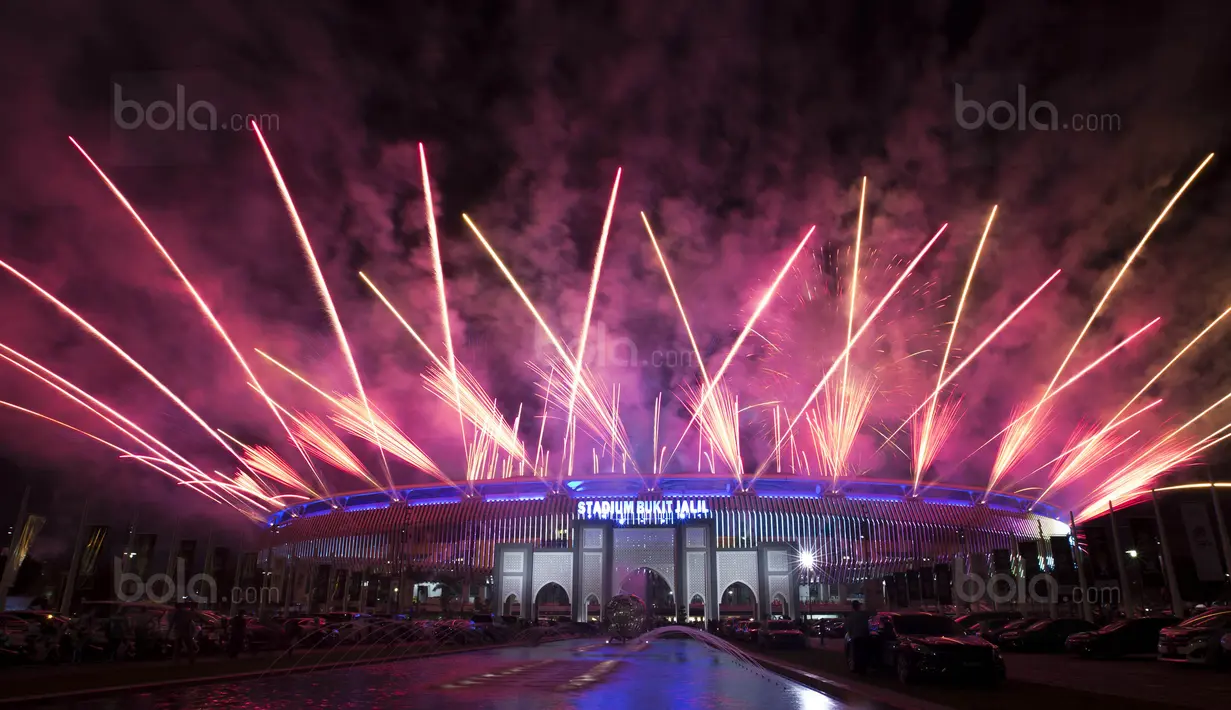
(835, 413)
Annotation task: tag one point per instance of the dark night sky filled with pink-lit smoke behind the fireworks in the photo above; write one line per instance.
(737, 125)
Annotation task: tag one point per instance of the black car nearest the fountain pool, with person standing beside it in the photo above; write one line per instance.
(918, 645)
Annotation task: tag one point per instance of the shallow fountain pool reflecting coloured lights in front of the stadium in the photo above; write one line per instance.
(583, 675)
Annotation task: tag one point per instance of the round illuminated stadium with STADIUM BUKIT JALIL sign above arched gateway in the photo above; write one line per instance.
(695, 546)
